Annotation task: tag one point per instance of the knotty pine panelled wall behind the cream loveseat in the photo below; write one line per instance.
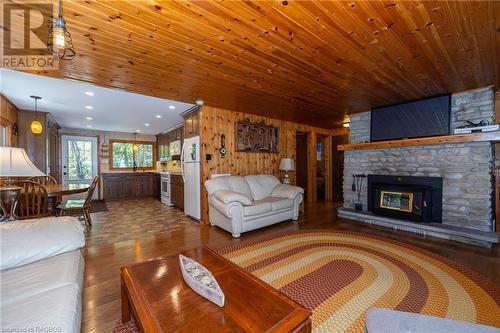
(216, 121)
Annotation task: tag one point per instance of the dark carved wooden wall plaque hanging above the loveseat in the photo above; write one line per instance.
(256, 137)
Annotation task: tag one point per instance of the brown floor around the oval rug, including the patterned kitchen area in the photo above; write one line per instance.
(137, 230)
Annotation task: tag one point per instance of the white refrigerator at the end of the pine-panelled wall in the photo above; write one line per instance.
(190, 166)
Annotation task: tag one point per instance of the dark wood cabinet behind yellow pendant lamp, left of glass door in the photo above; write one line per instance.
(43, 149)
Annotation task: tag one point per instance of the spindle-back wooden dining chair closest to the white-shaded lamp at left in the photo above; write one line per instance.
(33, 201)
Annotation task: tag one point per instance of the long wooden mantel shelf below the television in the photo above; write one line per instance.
(434, 140)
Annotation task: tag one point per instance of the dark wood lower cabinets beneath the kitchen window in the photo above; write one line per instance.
(130, 185)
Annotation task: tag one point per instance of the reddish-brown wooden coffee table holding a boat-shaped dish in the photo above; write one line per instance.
(161, 301)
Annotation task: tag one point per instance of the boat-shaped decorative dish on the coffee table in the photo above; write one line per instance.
(201, 280)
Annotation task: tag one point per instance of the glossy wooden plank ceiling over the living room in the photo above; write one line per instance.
(307, 61)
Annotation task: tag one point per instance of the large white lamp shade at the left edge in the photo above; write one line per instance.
(14, 162)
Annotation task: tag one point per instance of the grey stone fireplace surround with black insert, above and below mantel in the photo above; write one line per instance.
(455, 178)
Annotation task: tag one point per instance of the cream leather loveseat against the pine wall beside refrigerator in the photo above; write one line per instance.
(239, 204)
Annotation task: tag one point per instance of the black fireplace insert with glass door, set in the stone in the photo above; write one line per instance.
(418, 199)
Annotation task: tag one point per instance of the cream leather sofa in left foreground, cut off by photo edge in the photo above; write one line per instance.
(41, 275)
